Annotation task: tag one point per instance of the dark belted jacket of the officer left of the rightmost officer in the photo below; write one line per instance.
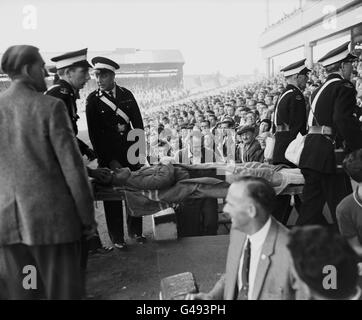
(291, 111)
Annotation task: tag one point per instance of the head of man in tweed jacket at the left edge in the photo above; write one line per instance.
(25, 63)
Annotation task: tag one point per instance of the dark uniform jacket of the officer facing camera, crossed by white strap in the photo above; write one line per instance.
(107, 130)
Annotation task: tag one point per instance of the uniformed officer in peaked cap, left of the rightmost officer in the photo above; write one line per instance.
(290, 118)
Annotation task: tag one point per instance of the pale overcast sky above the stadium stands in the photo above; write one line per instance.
(213, 35)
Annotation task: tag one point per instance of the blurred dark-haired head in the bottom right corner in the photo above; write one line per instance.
(314, 248)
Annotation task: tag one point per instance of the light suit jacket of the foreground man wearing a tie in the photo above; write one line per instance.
(275, 276)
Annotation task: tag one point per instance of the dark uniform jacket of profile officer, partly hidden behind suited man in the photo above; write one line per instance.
(64, 91)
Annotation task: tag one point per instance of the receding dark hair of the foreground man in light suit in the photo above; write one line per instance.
(261, 191)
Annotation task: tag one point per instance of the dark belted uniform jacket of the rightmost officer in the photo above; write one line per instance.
(335, 108)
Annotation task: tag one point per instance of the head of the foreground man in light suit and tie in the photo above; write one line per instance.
(249, 203)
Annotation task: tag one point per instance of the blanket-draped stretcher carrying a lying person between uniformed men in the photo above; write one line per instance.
(204, 181)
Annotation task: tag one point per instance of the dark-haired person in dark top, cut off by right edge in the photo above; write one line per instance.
(349, 211)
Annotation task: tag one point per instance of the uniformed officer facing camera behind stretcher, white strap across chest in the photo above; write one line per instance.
(112, 112)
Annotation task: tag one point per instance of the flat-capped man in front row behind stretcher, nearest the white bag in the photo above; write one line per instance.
(249, 149)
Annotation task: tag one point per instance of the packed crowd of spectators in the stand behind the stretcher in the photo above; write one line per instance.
(201, 124)
